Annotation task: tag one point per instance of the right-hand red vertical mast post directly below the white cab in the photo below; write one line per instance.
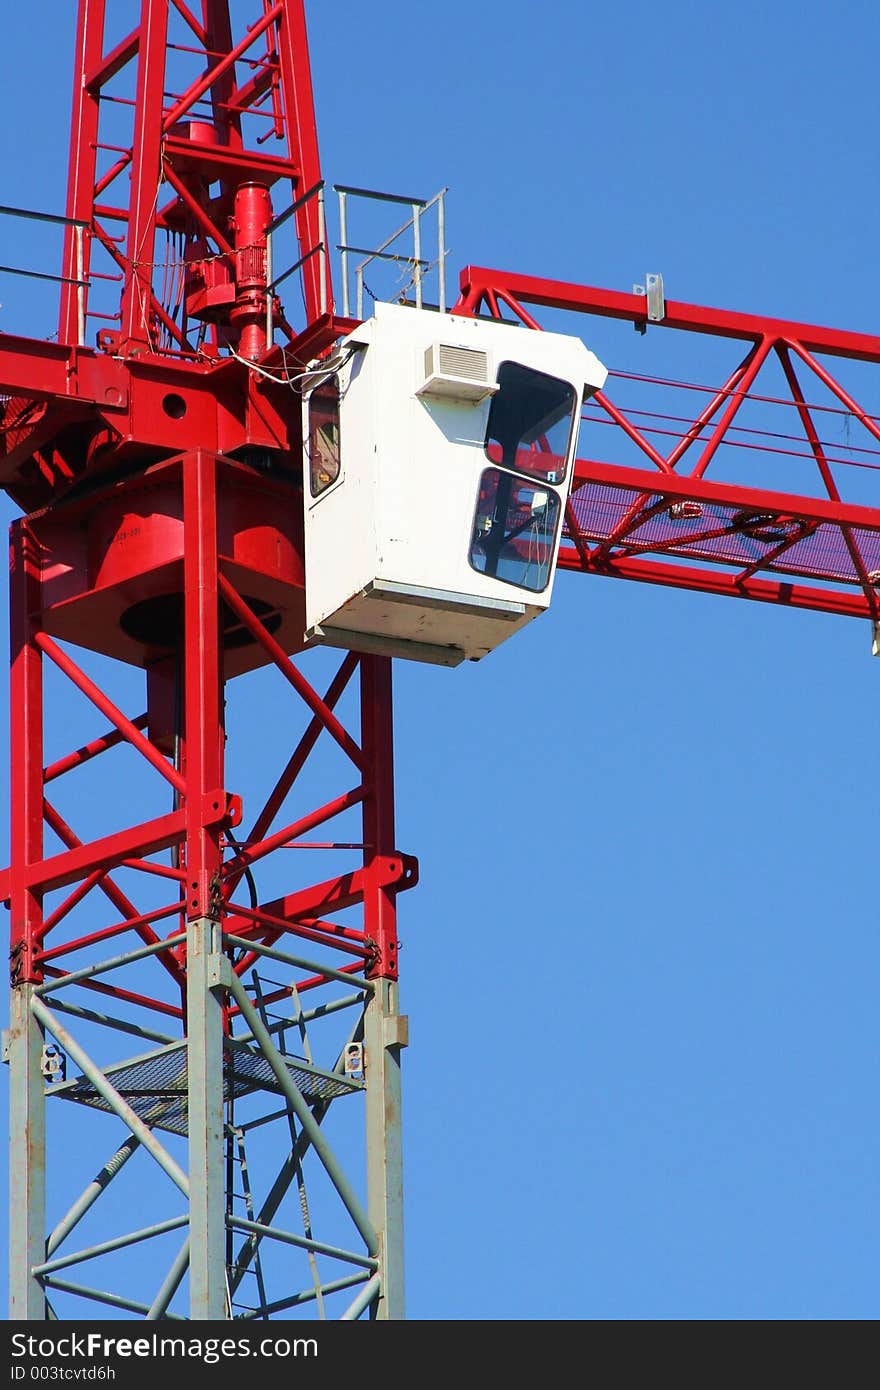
(379, 807)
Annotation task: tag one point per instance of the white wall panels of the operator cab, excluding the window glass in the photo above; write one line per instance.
(389, 543)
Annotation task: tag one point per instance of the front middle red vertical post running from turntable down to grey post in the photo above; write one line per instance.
(202, 679)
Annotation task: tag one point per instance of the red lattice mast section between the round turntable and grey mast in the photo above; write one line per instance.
(202, 826)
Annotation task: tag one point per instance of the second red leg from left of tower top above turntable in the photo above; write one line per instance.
(145, 176)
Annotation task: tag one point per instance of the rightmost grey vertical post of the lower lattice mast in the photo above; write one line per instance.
(384, 1143)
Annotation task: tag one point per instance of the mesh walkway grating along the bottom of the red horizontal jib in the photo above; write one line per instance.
(749, 540)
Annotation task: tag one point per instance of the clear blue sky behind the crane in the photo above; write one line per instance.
(642, 965)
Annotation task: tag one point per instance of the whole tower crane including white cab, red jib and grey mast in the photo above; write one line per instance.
(212, 483)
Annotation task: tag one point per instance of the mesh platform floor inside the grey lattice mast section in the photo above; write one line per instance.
(155, 1086)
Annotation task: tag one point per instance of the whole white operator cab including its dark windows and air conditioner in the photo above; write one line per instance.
(439, 457)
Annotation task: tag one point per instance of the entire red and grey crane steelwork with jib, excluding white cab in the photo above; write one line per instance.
(156, 452)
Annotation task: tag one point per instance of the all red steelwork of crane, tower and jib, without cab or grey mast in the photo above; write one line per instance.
(162, 476)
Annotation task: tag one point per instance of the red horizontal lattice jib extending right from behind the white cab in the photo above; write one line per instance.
(689, 512)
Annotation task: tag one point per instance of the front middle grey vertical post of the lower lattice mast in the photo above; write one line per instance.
(208, 1256)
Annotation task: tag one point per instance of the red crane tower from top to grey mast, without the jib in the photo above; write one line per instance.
(163, 482)
